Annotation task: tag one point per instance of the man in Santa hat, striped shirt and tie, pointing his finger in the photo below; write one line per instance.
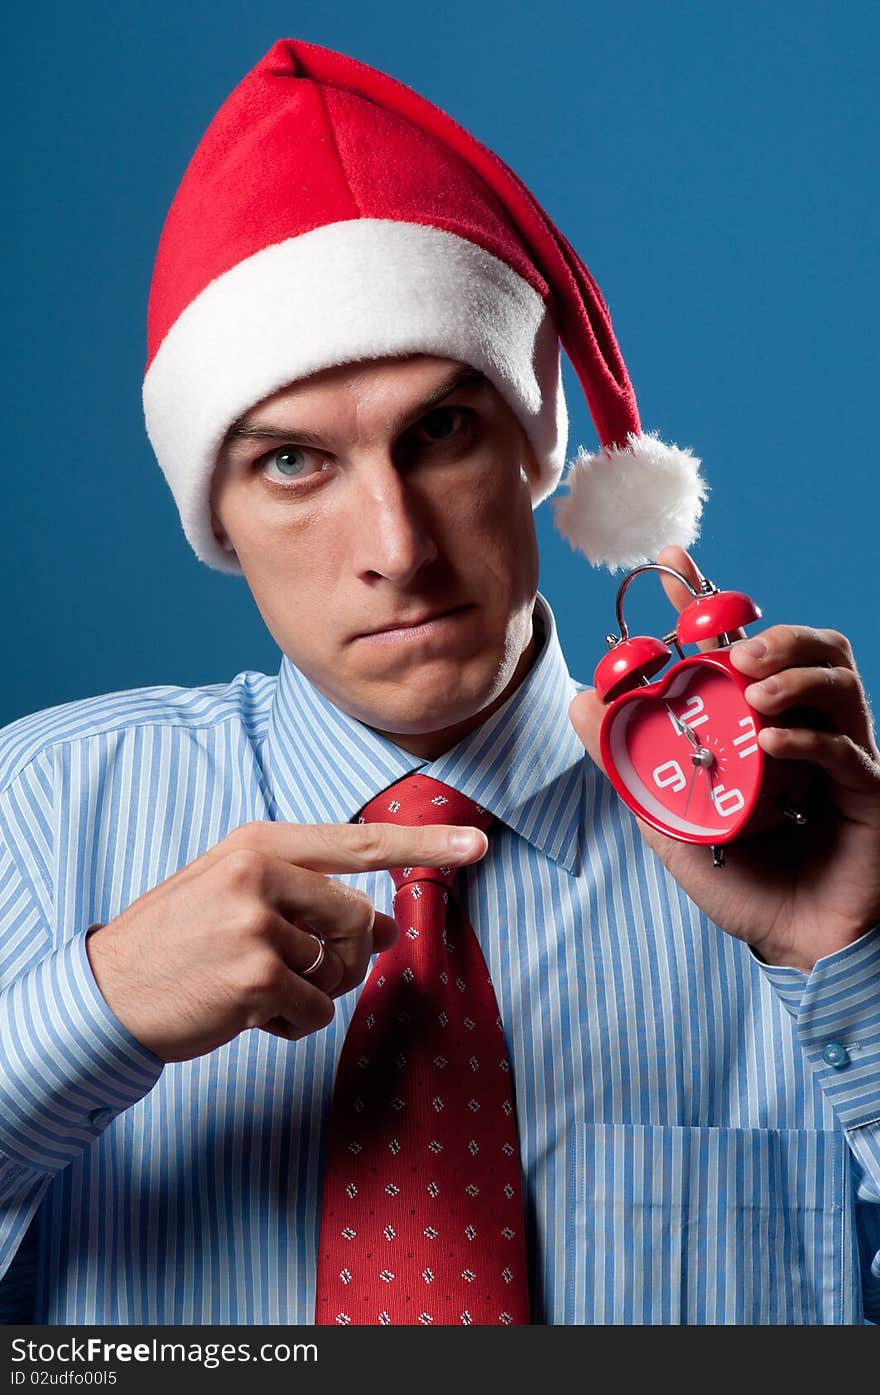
(354, 390)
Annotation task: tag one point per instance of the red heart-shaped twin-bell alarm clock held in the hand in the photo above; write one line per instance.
(683, 753)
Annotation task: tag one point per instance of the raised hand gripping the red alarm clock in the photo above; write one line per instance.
(793, 893)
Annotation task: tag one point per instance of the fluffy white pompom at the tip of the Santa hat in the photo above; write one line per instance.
(627, 503)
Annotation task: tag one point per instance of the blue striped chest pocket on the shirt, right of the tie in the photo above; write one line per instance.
(684, 1226)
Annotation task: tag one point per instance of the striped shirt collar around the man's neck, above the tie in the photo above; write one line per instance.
(525, 764)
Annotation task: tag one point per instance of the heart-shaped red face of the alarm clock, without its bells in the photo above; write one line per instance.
(684, 751)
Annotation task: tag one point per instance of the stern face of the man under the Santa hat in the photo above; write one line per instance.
(373, 495)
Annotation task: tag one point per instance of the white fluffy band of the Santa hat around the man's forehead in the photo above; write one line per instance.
(356, 289)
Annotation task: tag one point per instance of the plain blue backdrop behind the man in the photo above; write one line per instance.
(716, 168)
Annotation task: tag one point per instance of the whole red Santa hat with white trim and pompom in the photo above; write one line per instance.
(328, 216)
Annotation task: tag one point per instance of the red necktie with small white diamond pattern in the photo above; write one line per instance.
(422, 1214)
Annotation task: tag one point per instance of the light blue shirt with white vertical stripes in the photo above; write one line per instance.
(688, 1153)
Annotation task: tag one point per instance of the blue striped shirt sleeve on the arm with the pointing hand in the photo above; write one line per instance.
(68, 1065)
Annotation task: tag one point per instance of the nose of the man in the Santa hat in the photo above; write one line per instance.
(393, 532)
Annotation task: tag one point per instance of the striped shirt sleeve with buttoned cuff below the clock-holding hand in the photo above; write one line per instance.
(837, 1020)
